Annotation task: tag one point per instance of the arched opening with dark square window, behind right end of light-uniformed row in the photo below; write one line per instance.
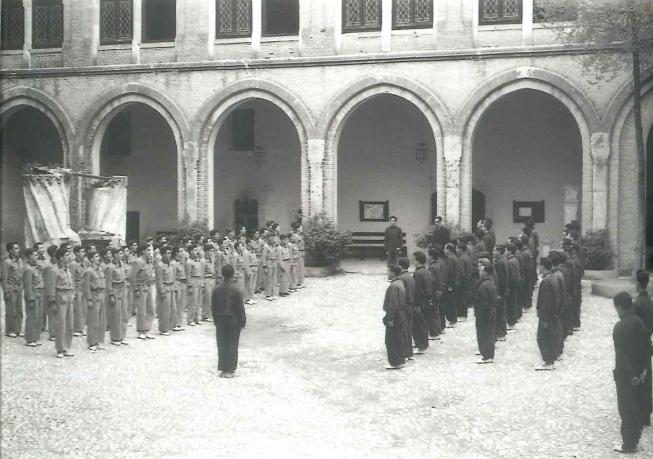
(256, 167)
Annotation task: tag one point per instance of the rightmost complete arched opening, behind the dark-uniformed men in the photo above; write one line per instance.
(527, 148)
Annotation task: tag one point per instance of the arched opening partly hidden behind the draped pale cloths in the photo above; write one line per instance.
(140, 144)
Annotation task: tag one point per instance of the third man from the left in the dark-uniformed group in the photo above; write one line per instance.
(423, 289)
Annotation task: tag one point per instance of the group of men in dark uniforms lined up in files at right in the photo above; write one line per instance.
(498, 280)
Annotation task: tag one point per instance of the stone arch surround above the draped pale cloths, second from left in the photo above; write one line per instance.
(110, 103)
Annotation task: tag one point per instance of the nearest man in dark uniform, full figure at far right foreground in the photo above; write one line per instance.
(632, 350)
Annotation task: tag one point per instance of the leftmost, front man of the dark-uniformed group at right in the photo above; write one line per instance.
(395, 298)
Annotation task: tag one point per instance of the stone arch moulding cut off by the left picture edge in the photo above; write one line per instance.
(15, 98)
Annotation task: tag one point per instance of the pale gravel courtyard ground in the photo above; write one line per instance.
(312, 382)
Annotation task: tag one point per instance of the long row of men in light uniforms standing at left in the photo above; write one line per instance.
(80, 291)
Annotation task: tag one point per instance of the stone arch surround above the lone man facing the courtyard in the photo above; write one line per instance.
(336, 113)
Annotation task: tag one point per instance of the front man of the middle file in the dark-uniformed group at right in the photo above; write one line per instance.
(485, 313)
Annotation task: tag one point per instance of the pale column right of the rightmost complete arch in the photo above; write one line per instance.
(600, 151)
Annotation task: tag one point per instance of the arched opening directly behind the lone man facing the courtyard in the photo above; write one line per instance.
(386, 151)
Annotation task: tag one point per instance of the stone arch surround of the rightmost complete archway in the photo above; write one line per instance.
(524, 78)
